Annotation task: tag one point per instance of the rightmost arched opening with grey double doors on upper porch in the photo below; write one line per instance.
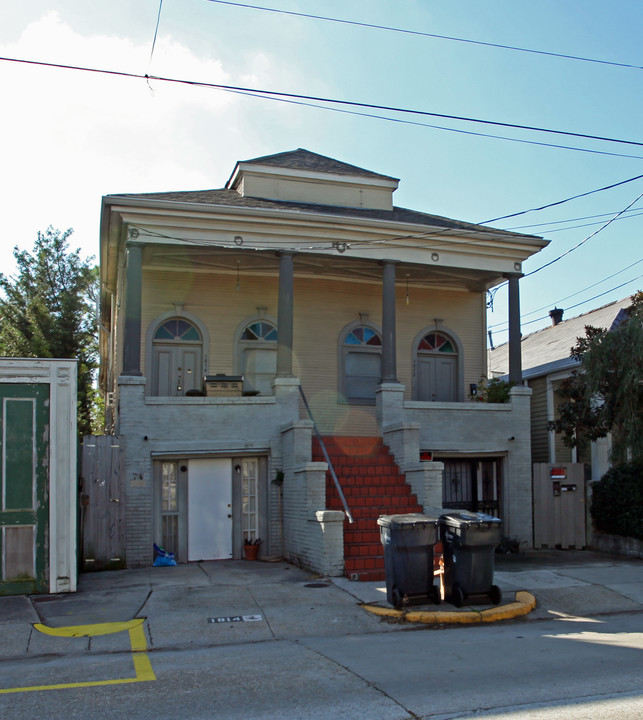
(436, 368)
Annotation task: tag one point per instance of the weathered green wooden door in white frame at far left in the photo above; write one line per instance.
(24, 505)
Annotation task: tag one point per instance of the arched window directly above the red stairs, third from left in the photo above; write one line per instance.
(360, 364)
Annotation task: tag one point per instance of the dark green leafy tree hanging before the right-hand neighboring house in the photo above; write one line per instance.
(606, 395)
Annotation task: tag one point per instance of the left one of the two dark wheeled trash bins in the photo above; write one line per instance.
(409, 542)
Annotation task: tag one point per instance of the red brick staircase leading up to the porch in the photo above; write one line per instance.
(372, 485)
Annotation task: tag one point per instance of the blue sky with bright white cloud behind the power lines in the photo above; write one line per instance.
(70, 137)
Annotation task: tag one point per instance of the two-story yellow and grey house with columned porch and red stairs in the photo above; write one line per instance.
(217, 305)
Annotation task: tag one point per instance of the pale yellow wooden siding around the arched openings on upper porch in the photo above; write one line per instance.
(323, 309)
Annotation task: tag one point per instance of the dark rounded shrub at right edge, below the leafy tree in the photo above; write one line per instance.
(617, 501)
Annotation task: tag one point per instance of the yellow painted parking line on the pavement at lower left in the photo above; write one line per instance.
(142, 666)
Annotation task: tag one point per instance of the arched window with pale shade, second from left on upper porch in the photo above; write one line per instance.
(258, 356)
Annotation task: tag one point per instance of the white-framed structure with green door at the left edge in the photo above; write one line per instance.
(38, 448)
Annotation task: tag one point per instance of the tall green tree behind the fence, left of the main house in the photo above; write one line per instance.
(48, 310)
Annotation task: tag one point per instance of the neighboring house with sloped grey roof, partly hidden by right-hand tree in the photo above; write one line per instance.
(546, 362)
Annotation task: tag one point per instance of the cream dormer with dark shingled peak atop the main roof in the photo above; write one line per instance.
(305, 177)
